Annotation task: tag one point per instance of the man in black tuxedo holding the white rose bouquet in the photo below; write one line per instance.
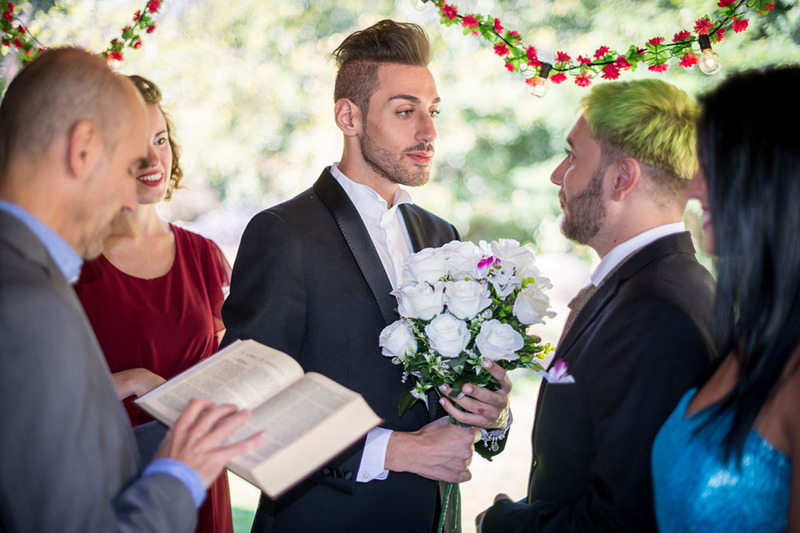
(313, 278)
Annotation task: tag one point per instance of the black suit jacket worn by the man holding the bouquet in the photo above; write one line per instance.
(307, 280)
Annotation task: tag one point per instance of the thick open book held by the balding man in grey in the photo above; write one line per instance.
(308, 418)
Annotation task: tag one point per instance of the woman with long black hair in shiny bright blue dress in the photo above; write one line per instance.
(728, 458)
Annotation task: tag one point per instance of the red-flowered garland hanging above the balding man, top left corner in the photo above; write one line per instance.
(16, 36)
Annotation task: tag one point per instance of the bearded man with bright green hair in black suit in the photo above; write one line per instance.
(640, 339)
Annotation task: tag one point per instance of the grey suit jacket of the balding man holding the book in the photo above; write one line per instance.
(68, 460)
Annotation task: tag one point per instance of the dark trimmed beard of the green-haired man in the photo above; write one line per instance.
(585, 213)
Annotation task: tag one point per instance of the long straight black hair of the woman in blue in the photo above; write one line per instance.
(749, 148)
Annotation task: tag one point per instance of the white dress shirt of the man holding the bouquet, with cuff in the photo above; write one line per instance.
(387, 229)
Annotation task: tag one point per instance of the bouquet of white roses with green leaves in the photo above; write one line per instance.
(460, 304)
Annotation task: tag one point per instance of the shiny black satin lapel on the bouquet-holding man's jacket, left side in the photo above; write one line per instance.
(355, 234)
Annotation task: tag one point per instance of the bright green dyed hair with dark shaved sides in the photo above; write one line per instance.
(651, 120)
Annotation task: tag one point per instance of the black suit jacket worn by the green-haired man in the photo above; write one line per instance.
(638, 344)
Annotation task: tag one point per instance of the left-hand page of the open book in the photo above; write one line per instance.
(245, 374)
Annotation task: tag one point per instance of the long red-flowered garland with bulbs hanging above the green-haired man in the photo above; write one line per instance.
(605, 62)
